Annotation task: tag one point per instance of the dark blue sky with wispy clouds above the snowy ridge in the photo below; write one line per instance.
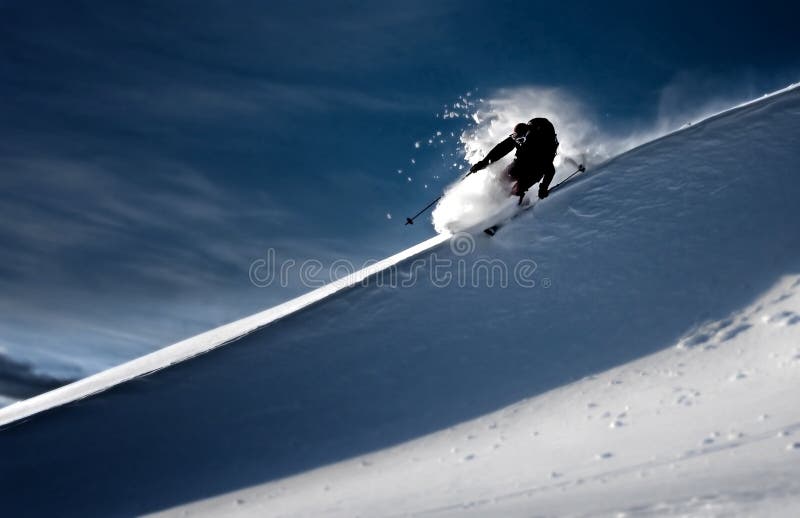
(151, 152)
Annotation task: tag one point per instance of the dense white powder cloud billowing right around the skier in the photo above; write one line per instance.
(483, 197)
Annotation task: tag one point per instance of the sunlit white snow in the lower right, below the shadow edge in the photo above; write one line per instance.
(710, 428)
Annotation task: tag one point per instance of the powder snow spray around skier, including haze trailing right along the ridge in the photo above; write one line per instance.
(483, 199)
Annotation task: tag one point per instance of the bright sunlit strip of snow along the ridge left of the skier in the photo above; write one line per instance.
(199, 344)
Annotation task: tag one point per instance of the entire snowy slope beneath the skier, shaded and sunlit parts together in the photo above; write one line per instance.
(642, 358)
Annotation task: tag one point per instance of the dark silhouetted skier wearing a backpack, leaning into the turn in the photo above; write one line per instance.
(536, 145)
